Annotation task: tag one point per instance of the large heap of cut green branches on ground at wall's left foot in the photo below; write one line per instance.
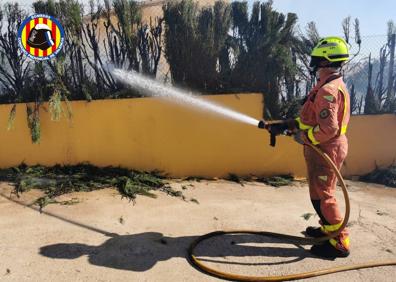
(59, 180)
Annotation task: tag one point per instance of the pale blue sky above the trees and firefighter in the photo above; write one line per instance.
(328, 15)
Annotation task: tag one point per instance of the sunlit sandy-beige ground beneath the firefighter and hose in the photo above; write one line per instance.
(104, 238)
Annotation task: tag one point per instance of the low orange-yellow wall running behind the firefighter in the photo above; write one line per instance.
(148, 134)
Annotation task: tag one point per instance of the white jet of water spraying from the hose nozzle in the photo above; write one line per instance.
(155, 89)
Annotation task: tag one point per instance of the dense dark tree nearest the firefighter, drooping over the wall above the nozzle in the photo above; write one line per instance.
(264, 46)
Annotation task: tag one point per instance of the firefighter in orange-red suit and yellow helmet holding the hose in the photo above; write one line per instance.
(323, 121)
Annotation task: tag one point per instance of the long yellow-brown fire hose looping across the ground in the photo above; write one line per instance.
(297, 239)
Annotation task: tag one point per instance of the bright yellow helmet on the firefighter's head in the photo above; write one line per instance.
(331, 51)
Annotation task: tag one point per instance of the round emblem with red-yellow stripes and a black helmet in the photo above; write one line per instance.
(41, 37)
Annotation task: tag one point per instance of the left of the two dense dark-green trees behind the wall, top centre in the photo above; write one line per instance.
(194, 42)
